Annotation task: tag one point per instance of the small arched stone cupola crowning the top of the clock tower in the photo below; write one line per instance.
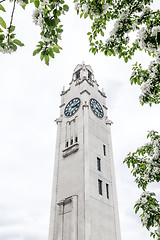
(83, 72)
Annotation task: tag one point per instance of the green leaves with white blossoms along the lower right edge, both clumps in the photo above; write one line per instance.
(145, 163)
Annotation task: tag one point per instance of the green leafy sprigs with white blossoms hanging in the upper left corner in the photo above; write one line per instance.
(46, 15)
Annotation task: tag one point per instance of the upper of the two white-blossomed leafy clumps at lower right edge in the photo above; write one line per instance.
(146, 161)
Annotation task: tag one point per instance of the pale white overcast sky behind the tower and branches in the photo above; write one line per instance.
(29, 104)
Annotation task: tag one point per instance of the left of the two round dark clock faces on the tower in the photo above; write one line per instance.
(72, 107)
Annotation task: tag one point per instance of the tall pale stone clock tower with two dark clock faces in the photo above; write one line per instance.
(84, 202)
